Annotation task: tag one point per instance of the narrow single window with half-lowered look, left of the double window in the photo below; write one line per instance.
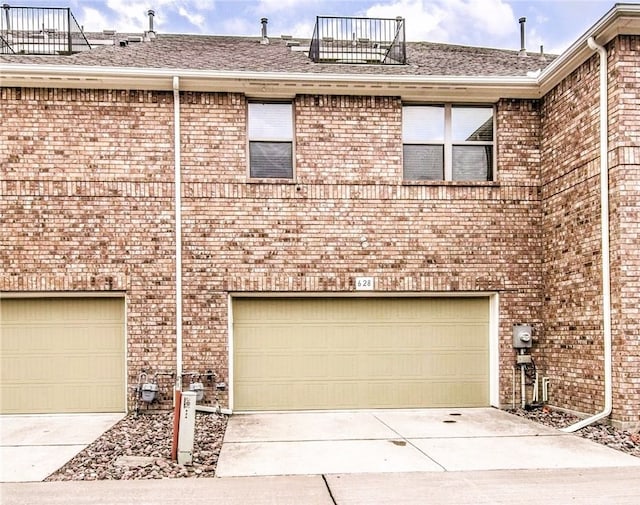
(270, 134)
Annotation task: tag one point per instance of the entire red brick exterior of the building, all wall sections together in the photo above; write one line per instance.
(87, 205)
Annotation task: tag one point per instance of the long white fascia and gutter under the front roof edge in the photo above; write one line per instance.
(270, 84)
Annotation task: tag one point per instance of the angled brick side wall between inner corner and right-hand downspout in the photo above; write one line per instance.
(572, 347)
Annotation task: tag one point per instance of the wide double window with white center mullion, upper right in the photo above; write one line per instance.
(447, 142)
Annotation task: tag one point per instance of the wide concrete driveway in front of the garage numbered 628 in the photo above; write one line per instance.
(433, 440)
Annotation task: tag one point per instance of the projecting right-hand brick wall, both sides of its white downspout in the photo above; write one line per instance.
(572, 349)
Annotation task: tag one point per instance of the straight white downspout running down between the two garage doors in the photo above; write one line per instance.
(178, 217)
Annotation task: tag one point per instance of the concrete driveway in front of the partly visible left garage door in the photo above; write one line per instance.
(34, 446)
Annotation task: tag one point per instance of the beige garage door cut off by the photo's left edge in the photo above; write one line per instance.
(62, 355)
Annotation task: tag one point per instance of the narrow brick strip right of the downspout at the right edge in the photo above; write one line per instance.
(624, 177)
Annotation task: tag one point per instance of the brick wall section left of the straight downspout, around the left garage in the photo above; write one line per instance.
(87, 205)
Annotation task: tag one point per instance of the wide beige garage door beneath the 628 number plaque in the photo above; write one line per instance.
(349, 353)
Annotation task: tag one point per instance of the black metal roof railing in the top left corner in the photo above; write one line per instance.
(40, 30)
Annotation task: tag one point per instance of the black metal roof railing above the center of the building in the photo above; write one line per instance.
(358, 40)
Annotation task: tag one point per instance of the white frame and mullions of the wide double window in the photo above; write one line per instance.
(448, 143)
